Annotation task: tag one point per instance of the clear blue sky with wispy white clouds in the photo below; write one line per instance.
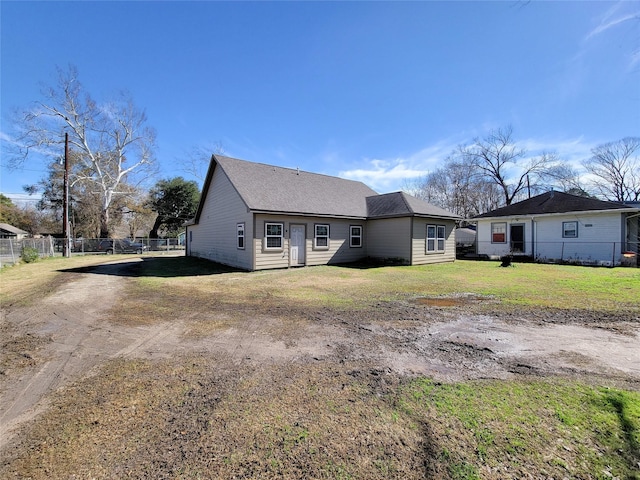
(374, 91)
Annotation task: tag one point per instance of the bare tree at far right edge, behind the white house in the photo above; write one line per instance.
(615, 168)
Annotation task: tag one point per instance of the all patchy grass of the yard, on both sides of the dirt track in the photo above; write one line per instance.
(185, 418)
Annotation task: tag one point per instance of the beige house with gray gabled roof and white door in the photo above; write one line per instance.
(255, 216)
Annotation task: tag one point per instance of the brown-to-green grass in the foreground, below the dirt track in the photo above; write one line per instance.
(190, 418)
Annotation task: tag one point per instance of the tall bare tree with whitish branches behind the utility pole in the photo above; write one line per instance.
(111, 140)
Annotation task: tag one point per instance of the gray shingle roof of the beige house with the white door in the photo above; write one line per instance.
(267, 188)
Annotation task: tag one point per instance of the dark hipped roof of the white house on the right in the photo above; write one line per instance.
(553, 202)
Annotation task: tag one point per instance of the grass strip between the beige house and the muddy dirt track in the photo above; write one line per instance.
(525, 285)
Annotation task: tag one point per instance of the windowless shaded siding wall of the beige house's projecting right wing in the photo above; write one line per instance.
(389, 238)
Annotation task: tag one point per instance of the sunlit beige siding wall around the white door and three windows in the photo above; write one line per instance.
(338, 251)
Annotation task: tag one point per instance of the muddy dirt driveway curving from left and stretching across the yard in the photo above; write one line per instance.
(65, 337)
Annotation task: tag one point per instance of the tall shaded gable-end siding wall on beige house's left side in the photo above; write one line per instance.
(214, 237)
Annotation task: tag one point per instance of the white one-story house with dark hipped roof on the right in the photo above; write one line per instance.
(561, 227)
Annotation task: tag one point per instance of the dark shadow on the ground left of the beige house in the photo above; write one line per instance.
(165, 267)
